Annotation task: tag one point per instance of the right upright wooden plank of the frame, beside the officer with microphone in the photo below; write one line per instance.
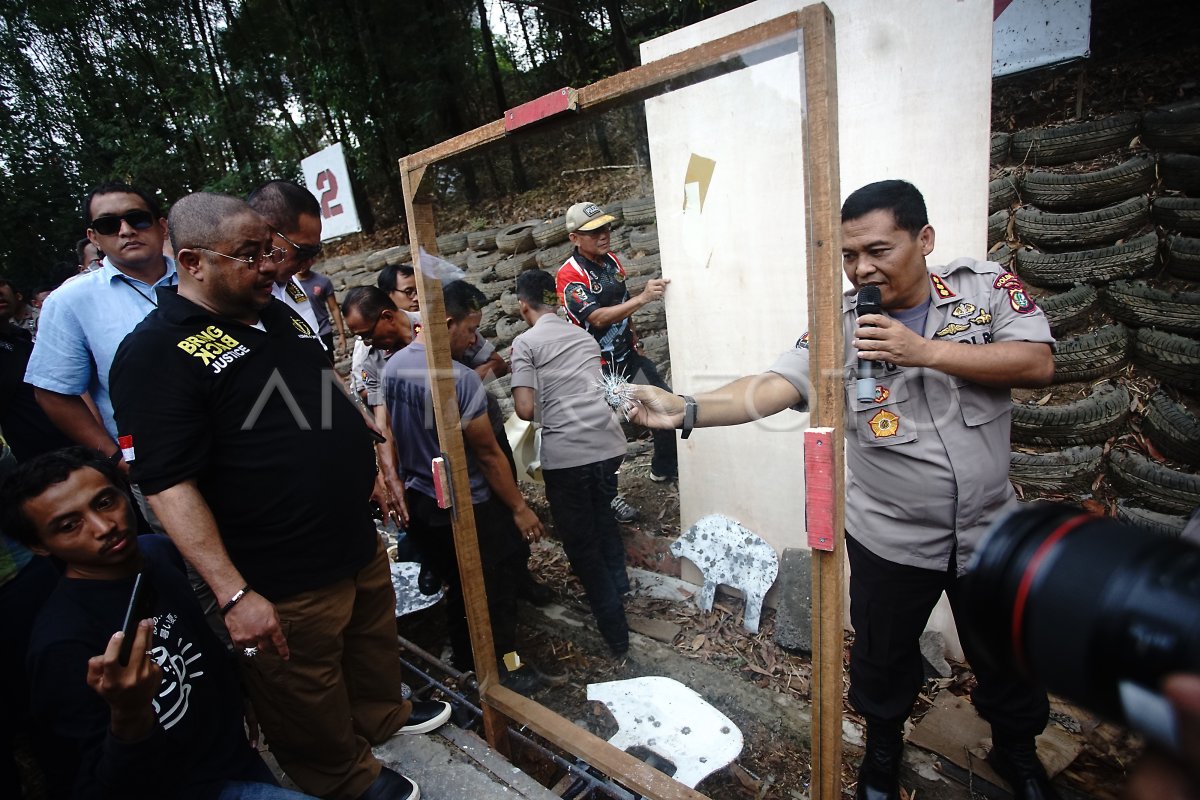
(827, 402)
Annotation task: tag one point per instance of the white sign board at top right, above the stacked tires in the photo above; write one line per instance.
(1030, 34)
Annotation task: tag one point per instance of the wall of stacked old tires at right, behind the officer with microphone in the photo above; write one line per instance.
(1103, 219)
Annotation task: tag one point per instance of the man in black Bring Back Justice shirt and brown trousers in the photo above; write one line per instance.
(230, 414)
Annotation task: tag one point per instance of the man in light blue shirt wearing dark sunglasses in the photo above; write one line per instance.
(87, 318)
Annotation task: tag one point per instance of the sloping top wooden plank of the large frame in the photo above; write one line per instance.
(622, 86)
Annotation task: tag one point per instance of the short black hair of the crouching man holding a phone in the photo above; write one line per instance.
(34, 477)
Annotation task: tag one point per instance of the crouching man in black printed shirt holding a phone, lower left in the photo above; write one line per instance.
(169, 723)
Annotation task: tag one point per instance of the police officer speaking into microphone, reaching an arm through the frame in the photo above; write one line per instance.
(928, 461)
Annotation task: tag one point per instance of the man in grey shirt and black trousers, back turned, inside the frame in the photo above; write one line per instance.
(556, 366)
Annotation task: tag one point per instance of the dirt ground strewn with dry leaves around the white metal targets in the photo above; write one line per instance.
(763, 688)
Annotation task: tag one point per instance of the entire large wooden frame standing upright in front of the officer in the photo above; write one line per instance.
(813, 31)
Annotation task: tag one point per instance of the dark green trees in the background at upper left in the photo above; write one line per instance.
(224, 95)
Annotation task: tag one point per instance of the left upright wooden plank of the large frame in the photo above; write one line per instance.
(423, 234)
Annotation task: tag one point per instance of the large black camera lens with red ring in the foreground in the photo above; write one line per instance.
(1096, 611)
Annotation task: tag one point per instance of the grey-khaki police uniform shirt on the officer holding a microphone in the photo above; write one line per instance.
(928, 460)
